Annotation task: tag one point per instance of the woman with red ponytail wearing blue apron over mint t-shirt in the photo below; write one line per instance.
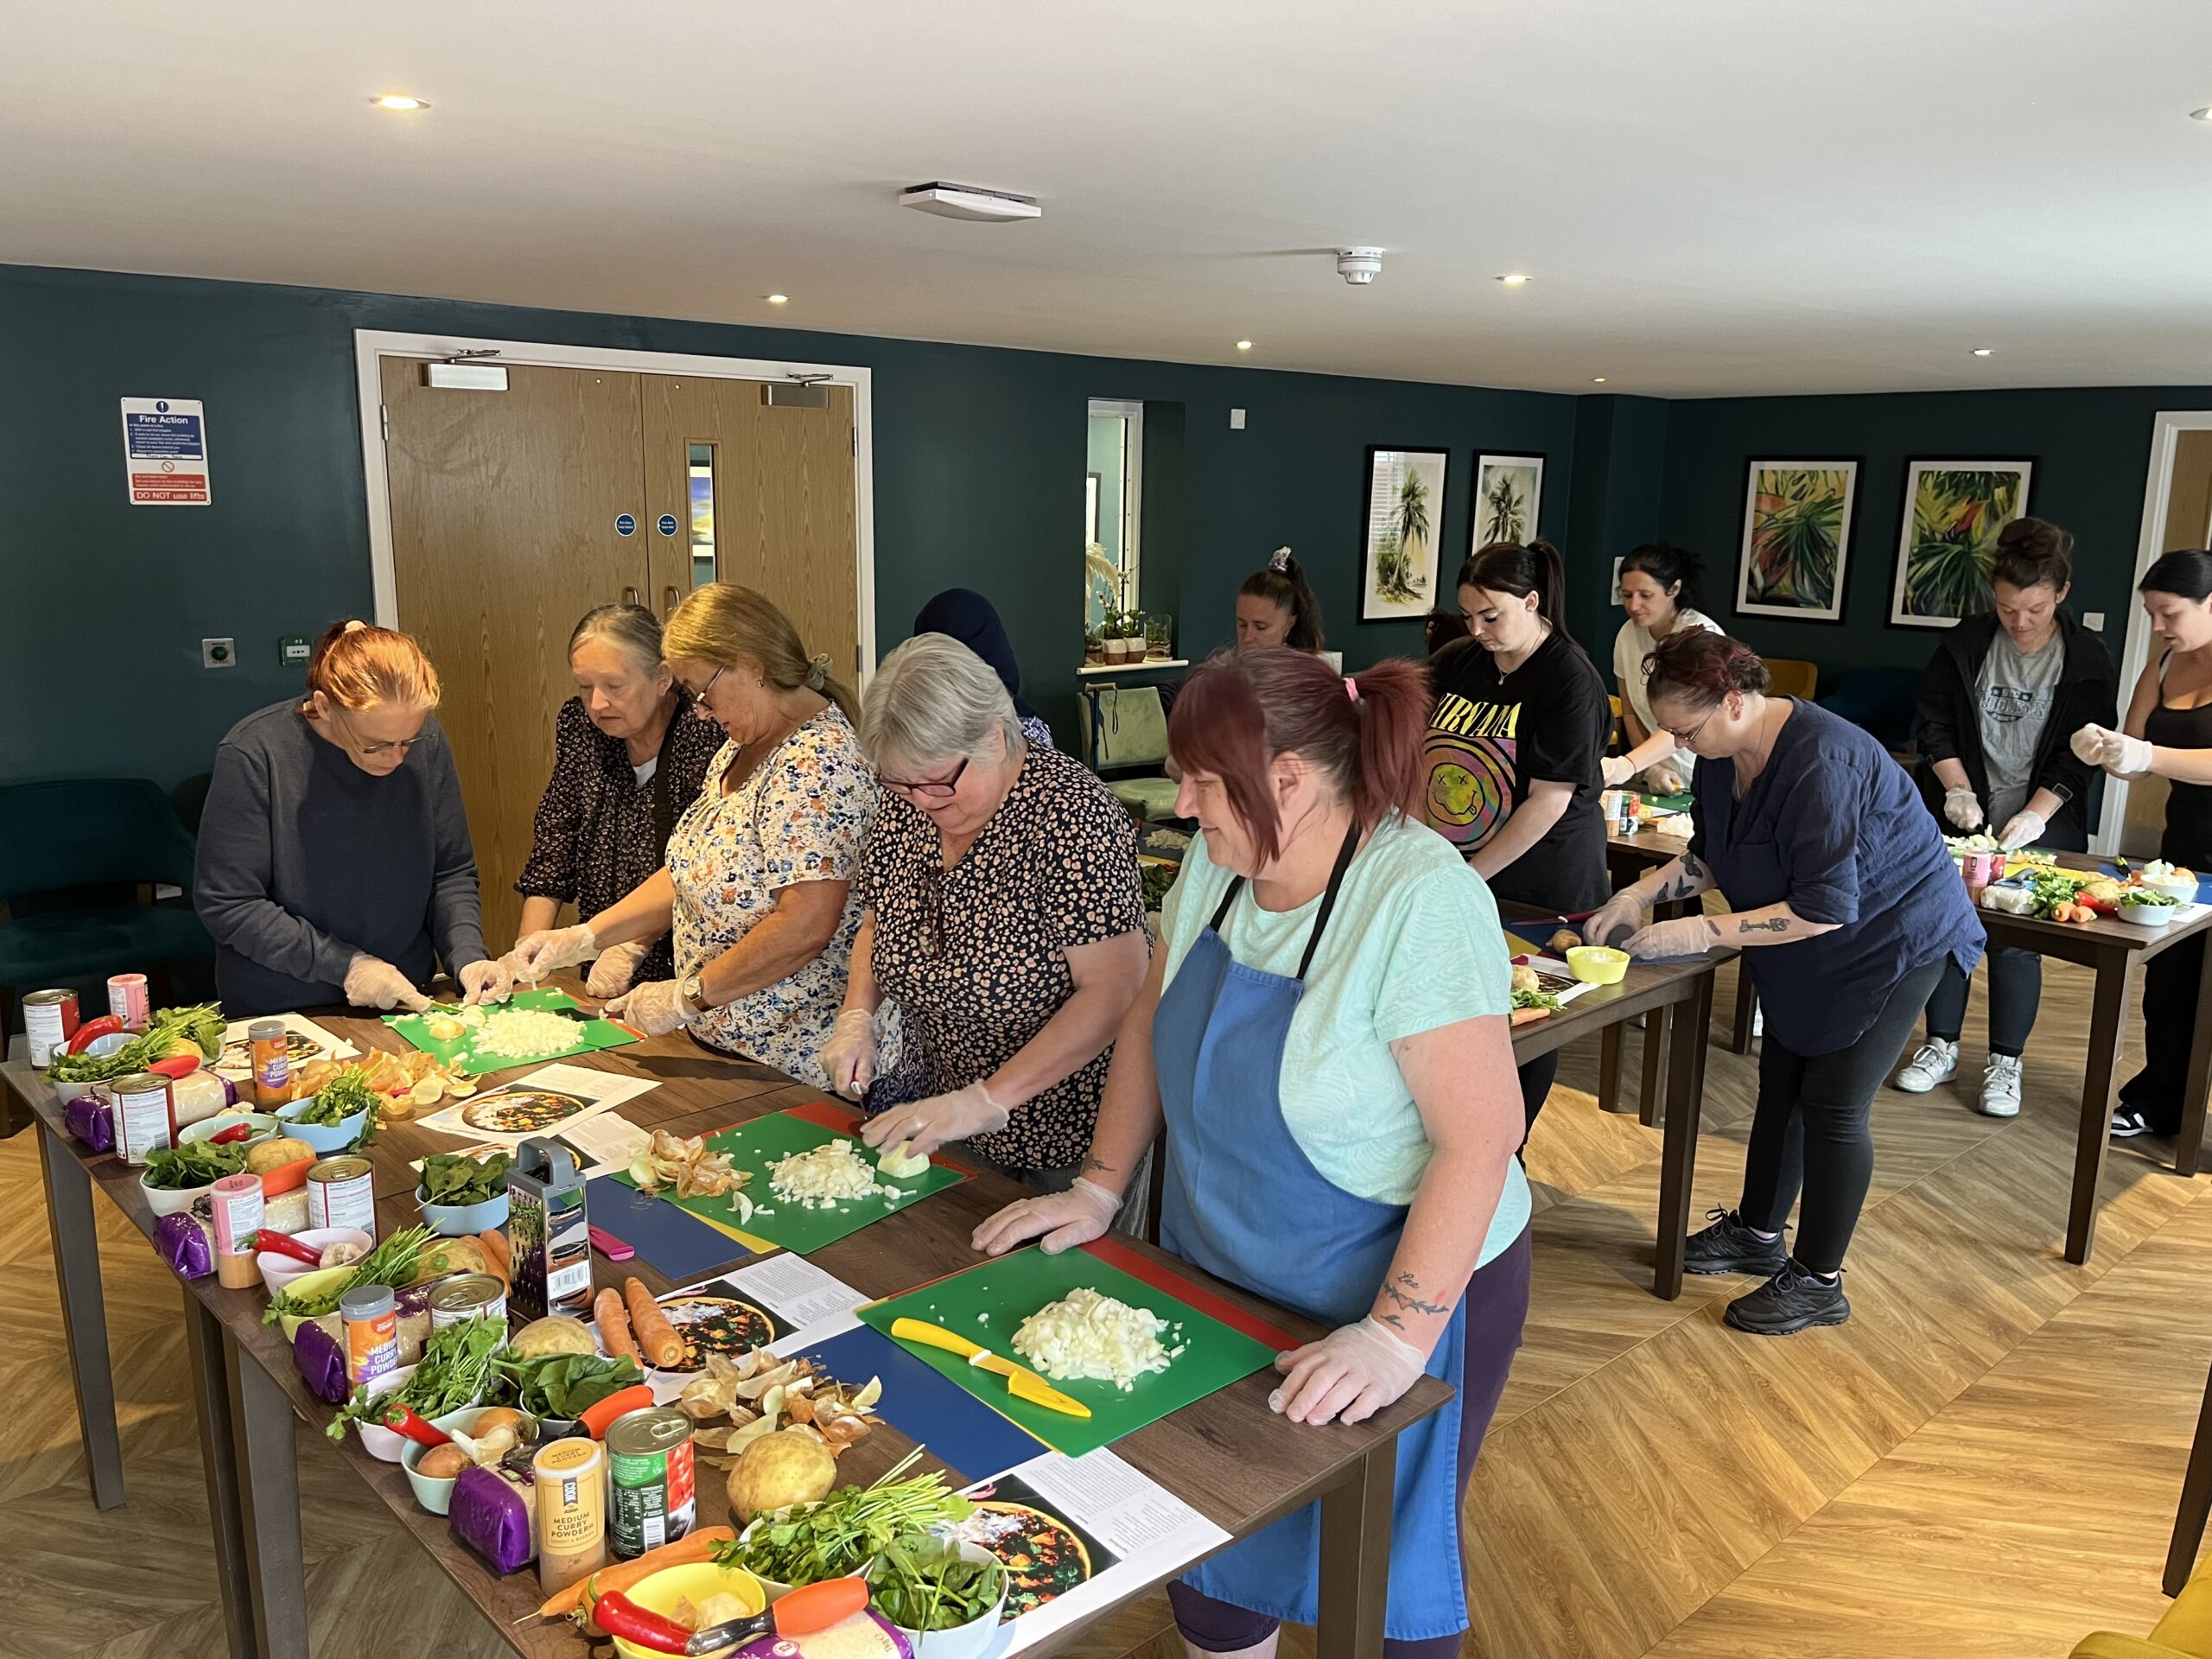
(1326, 1041)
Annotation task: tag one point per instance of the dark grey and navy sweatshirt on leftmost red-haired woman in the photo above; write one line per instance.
(309, 862)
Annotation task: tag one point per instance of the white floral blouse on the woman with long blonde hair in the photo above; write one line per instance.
(800, 817)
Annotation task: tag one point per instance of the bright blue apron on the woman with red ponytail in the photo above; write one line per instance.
(1246, 1202)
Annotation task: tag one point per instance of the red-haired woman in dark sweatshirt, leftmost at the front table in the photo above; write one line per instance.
(335, 859)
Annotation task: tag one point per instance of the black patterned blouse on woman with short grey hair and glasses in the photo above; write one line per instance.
(977, 957)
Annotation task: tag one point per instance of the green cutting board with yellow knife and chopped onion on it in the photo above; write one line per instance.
(988, 1304)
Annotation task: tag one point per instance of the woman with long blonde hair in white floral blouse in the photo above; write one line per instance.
(760, 868)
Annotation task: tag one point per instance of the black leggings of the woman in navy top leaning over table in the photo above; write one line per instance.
(1811, 1129)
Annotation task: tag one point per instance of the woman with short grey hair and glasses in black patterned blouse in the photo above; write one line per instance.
(1001, 912)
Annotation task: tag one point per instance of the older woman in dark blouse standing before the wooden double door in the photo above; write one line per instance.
(625, 766)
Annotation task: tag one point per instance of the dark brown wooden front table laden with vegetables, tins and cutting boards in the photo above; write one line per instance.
(1227, 1457)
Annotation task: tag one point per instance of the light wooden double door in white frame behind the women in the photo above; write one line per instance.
(517, 512)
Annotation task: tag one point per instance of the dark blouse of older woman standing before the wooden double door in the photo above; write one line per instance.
(601, 831)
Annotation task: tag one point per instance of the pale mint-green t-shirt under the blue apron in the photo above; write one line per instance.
(1412, 946)
